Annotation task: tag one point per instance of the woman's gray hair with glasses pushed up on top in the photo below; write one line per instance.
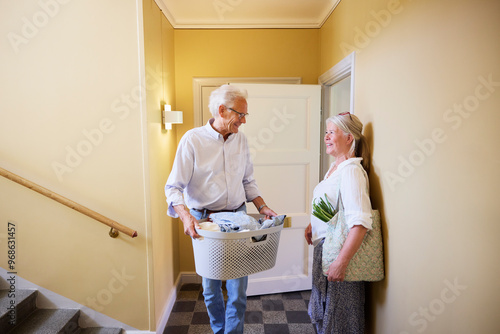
(350, 124)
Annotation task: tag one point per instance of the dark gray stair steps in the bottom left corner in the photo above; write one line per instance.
(19, 315)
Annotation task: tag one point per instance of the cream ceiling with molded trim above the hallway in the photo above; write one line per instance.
(222, 14)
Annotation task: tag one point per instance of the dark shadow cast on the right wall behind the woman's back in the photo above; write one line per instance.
(376, 292)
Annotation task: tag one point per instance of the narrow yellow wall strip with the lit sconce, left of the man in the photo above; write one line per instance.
(159, 59)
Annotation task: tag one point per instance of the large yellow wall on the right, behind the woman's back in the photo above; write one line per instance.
(435, 170)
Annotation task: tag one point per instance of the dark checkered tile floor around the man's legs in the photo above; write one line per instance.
(282, 313)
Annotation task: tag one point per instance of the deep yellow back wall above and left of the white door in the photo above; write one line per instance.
(238, 53)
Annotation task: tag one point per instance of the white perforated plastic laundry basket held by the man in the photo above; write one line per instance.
(224, 255)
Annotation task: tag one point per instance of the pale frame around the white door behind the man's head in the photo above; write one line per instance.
(200, 83)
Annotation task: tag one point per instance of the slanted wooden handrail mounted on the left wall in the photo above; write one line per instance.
(69, 203)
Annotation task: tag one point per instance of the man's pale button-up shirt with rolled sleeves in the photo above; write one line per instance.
(211, 173)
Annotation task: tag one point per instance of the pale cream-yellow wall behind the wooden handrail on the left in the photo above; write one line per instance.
(71, 83)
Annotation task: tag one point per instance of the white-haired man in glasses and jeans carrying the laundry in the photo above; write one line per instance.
(213, 170)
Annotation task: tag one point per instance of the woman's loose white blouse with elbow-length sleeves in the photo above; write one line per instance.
(355, 196)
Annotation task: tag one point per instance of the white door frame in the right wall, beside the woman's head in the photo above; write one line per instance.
(338, 72)
